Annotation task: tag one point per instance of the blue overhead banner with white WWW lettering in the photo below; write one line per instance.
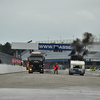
(51, 46)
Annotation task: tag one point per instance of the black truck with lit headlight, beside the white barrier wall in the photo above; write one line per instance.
(35, 62)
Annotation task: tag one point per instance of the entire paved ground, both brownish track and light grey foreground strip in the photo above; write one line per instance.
(47, 86)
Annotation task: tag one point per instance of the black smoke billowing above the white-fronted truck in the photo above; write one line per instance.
(78, 45)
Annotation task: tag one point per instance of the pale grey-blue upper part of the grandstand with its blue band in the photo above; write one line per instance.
(61, 56)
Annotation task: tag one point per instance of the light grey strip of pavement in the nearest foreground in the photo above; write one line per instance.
(66, 93)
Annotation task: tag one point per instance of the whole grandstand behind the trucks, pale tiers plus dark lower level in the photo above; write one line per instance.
(51, 57)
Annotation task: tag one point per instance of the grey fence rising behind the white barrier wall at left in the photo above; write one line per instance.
(6, 59)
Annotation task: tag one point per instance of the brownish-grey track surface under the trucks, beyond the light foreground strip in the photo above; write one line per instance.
(48, 80)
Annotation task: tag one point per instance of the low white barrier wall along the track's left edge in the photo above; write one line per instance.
(4, 68)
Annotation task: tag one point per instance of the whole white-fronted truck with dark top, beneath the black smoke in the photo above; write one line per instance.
(76, 65)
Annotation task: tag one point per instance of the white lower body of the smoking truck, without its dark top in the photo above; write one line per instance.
(77, 67)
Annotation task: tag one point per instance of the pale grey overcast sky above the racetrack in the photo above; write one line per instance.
(24, 20)
